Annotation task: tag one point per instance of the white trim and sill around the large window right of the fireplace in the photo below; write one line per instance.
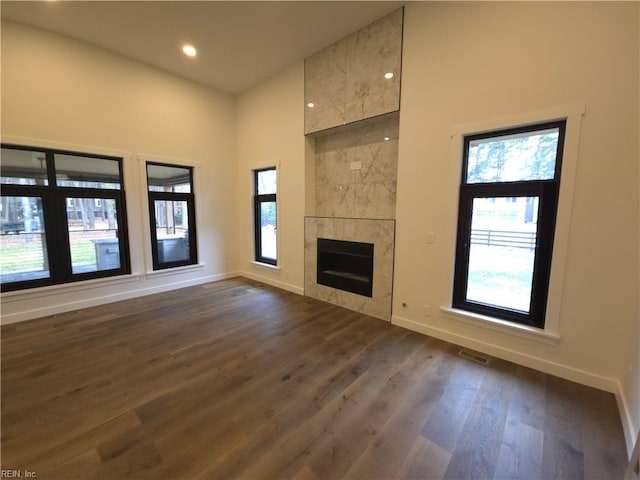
(573, 115)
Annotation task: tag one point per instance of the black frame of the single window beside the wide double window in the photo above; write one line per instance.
(189, 198)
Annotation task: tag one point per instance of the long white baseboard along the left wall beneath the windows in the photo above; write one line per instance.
(93, 301)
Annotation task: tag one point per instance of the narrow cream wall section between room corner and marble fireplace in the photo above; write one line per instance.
(270, 126)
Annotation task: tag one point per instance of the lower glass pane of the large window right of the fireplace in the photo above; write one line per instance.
(502, 251)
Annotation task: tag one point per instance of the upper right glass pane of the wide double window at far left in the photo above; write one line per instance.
(87, 172)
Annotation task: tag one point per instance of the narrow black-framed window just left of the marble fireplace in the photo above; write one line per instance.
(265, 217)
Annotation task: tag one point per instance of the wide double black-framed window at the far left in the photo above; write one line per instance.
(62, 217)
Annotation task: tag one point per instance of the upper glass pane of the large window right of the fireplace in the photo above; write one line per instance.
(511, 158)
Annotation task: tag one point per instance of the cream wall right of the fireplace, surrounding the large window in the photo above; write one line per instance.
(477, 62)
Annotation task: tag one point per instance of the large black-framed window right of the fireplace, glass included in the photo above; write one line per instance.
(506, 222)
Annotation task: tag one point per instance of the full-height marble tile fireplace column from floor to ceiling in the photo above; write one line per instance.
(352, 103)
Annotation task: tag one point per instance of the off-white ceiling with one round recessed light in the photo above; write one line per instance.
(240, 43)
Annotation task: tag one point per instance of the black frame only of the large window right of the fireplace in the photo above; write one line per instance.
(547, 191)
